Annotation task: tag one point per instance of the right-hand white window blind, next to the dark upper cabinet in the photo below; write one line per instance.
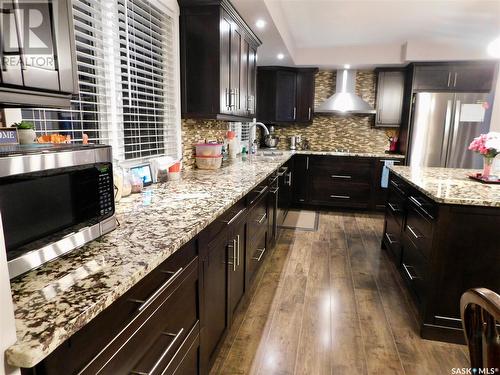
(147, 66)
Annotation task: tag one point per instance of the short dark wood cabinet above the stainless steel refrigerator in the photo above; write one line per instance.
(472, 77)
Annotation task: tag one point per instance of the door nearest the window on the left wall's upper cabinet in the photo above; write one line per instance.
(225, 63)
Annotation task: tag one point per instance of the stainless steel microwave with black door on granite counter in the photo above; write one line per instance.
(53, 199)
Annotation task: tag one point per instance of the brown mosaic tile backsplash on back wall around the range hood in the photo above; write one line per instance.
(329, 132)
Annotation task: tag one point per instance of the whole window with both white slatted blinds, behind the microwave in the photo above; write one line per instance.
(127, 72)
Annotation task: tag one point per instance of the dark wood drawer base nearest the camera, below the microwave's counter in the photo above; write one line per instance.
(144, 331)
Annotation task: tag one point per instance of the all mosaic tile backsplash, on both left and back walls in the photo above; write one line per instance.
(326, 133)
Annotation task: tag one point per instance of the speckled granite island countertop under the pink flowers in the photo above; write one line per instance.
(450, 185)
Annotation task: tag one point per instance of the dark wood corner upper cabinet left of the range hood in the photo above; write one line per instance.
(285, 95)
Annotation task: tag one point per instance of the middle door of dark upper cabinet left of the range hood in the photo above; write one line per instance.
(286, 85)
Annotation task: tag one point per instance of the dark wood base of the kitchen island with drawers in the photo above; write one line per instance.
(441, 251)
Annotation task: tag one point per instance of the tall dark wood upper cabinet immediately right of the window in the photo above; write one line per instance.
(218, 62)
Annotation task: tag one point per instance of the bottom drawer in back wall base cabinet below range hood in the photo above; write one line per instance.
(339, 194)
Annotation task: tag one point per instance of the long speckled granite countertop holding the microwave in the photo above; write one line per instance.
(56, 300)
